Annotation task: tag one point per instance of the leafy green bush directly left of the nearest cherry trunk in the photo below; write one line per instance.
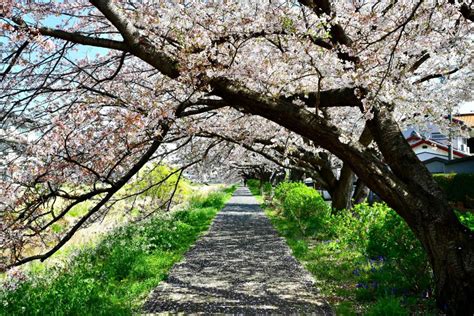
(395, 261)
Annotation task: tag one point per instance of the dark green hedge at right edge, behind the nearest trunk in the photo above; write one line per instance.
(458, 187)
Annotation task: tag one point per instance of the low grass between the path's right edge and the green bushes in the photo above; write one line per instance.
(346, 277)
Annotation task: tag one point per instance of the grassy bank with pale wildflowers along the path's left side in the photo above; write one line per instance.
(115, 276)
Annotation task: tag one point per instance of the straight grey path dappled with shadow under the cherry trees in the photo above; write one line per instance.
(241, 266)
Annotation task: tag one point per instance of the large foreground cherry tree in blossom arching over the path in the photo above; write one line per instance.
(314, 67)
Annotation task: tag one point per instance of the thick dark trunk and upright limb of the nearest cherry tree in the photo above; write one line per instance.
(449, 244)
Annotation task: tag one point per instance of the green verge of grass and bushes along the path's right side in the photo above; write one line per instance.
(365, 261)
